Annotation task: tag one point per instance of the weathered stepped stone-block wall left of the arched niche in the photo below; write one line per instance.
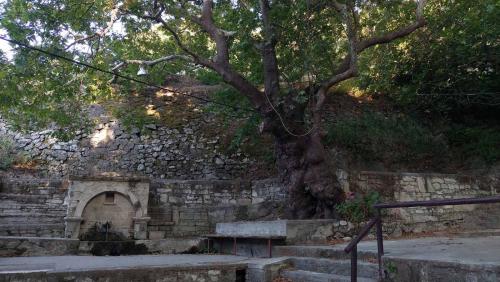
(31, 208)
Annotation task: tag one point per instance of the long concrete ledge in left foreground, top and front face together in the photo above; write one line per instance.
(189, 268)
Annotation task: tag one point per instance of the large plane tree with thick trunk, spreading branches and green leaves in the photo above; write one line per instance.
(282, 56)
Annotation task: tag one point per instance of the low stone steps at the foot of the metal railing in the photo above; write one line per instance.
(313, 264)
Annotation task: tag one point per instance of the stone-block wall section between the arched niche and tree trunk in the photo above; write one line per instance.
(196, 205)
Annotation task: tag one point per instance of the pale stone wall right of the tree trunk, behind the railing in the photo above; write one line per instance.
(398, 187)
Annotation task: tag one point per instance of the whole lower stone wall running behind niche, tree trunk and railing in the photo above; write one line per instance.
(179, 208)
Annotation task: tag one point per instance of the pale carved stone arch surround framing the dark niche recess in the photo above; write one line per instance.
(83, 190)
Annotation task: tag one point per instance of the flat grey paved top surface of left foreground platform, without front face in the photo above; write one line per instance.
(68, 263)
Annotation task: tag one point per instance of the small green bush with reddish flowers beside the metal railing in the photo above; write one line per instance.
(358, 208)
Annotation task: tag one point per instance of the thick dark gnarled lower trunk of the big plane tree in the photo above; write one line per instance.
(307, 173)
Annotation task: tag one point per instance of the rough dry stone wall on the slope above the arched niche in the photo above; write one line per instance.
(185, 152)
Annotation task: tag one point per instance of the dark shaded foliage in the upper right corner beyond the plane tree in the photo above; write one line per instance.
(457, 52)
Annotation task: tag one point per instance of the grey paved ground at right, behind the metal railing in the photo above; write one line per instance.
(481, 250)
